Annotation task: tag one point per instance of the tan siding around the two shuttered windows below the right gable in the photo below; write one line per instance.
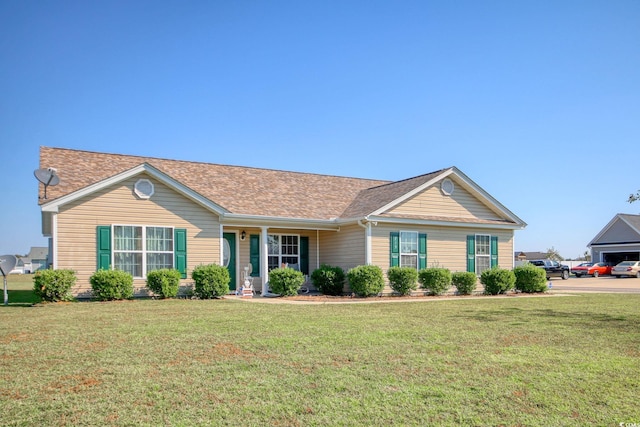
(446, 246)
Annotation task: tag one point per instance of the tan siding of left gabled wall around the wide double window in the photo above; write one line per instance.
(77, 222)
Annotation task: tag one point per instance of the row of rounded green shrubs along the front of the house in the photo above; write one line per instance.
(212, 281)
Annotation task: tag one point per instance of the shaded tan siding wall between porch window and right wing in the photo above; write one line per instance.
(345, 248)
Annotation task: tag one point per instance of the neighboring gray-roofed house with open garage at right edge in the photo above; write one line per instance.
(618, 241)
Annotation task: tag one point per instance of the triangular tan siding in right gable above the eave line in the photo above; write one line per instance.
(461, 204)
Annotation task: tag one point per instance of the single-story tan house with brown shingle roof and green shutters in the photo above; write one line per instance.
(139, 213)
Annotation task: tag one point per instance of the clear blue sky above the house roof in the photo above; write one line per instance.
(537, 101)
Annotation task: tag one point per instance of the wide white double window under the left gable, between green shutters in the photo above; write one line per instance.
(140, 249)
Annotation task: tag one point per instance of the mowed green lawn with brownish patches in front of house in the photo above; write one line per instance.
(478, 362)
